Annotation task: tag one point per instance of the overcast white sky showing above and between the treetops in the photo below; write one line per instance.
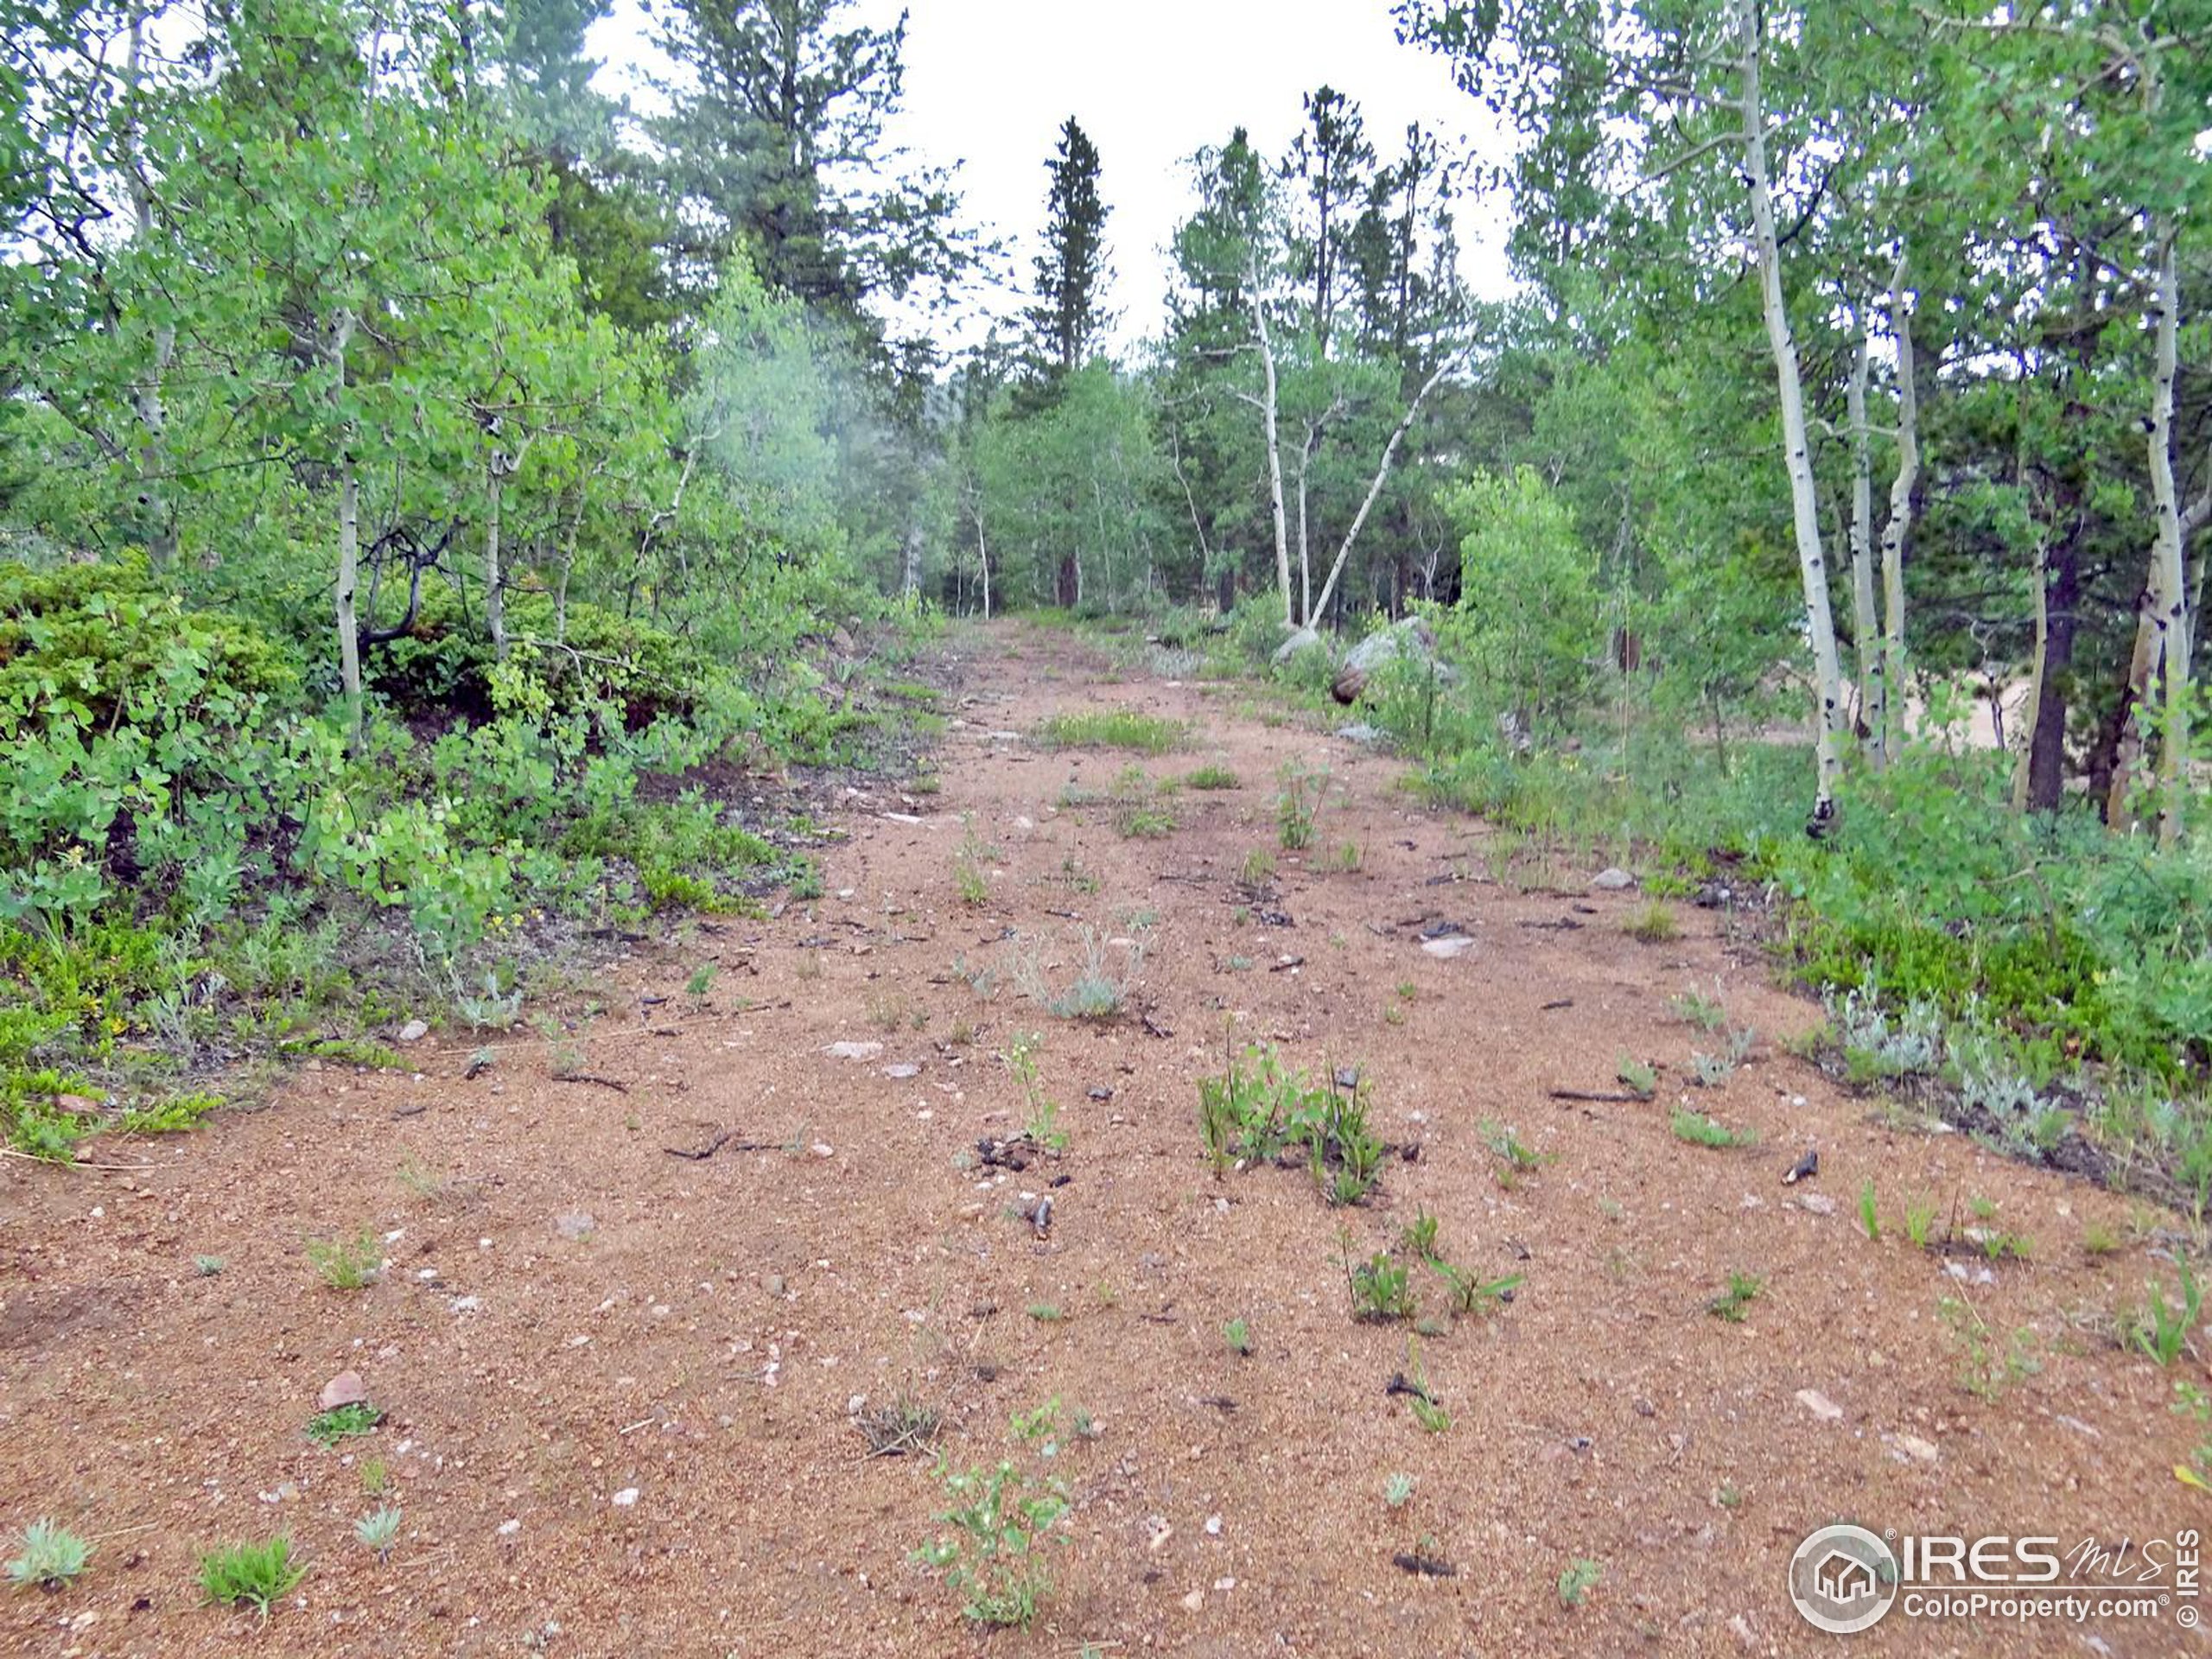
(1151, 81)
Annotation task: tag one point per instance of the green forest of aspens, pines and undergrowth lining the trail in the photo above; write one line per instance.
(415, 461)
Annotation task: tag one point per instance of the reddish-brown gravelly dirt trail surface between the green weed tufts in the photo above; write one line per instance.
(620, 1384)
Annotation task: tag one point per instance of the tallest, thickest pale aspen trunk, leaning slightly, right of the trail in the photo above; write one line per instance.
(1813, 563)
